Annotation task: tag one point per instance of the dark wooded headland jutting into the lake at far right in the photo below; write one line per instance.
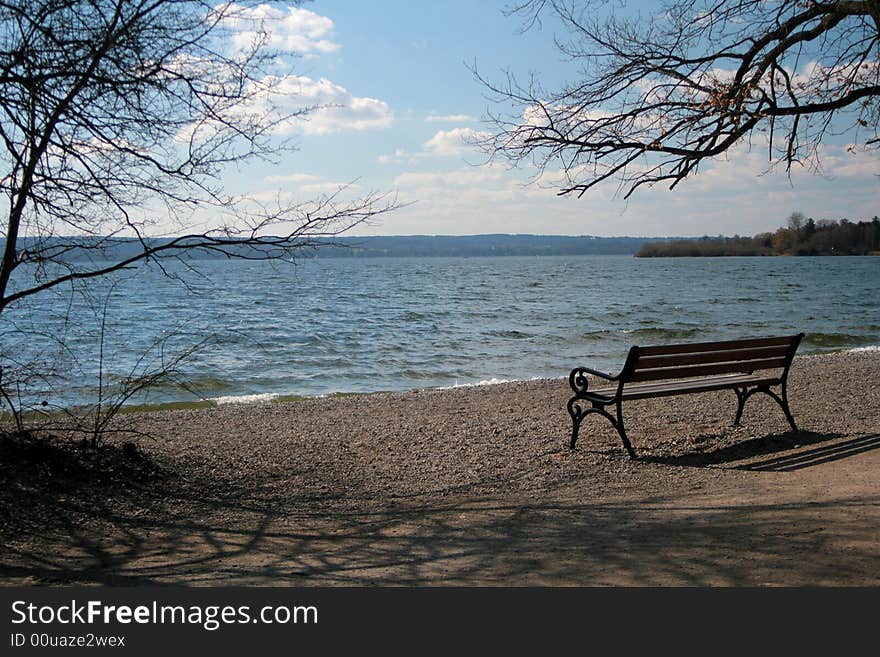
(800, 236)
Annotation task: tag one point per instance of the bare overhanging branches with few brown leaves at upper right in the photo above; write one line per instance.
(659, 94)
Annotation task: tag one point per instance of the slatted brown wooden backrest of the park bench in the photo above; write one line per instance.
(680, 361)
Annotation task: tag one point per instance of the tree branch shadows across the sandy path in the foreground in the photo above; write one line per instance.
(655, 541)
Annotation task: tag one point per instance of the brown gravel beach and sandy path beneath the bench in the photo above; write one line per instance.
(476, 486)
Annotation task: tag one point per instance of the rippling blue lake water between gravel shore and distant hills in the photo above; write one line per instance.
(358, 325)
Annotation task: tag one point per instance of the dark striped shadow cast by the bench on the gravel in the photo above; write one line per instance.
(822, 448)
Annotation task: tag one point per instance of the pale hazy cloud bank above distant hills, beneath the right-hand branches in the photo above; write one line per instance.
(727, 197)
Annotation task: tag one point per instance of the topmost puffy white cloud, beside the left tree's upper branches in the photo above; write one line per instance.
(288, 29)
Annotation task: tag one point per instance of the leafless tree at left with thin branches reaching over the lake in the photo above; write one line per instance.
(118, 119)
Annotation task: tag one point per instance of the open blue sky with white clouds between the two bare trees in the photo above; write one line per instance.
(399, 71)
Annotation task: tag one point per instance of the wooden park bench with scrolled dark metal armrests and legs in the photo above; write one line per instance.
(744, 366)
